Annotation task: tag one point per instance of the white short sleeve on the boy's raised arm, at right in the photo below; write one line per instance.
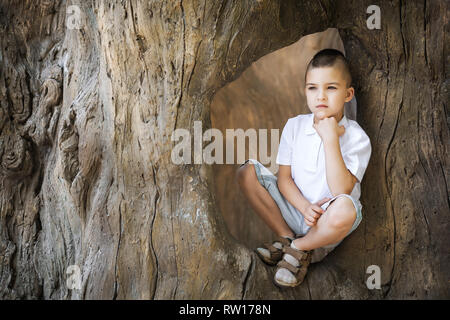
(357, 155)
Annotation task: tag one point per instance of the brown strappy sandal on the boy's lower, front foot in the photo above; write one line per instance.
(304, 259)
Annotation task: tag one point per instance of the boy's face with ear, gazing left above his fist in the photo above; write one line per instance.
(326, 92)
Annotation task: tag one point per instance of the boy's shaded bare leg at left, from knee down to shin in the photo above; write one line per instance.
(261, 201)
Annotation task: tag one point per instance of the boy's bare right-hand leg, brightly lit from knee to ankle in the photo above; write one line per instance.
(331, 227)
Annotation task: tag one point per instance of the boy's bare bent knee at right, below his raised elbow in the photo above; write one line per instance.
(342, 213)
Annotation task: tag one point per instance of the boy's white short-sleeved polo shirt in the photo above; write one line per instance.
(302, 148)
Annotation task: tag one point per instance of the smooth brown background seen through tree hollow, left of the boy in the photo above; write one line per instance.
(265, 96)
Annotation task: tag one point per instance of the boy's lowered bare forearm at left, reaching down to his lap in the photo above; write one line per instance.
(289, 189)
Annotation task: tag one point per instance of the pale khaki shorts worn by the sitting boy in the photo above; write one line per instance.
(291, 215)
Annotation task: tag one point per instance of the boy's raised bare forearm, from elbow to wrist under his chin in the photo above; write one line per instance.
(339, 178)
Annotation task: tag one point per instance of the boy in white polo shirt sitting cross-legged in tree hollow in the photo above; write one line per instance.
(313, 203)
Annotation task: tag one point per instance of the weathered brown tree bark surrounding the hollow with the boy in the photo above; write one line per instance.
(85, 144)
